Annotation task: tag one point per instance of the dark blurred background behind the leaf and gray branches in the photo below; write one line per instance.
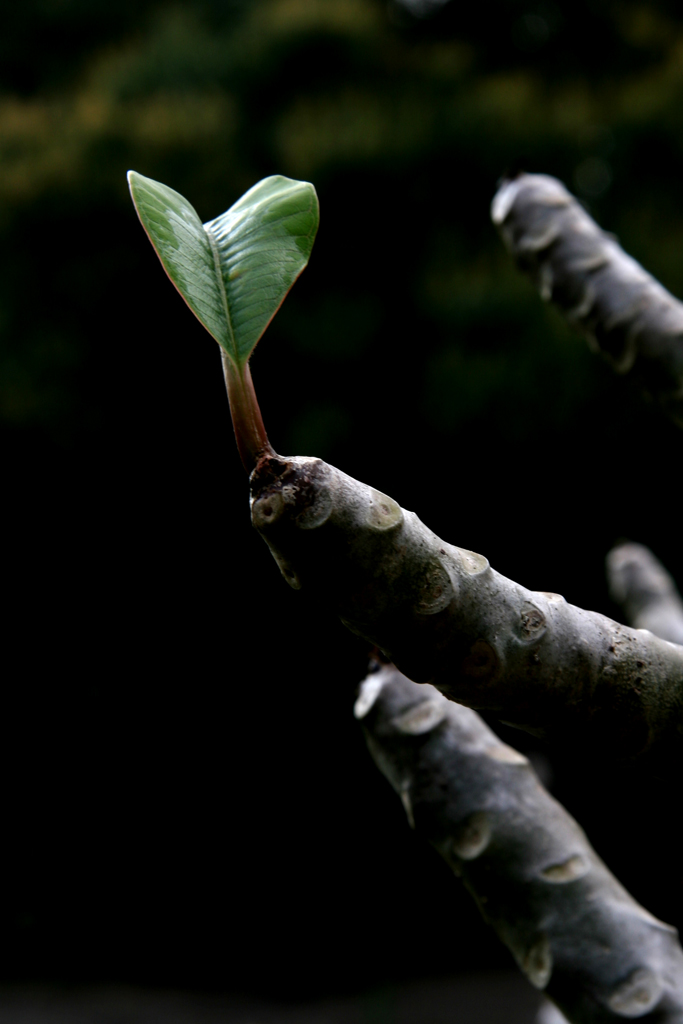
(187, 798)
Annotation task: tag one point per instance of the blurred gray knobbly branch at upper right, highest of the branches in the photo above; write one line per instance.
(627, 316)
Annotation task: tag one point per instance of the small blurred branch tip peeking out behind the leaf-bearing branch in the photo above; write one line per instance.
(648, 593)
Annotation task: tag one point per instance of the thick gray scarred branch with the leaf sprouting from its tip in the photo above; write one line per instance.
(445, 617)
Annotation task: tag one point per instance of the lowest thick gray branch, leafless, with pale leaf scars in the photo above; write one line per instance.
(572, 927)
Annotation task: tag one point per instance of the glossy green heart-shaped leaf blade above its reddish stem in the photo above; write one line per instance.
(234, 272)
